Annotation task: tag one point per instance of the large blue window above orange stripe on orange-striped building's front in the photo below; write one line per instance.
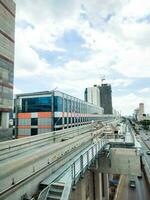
(38, 104)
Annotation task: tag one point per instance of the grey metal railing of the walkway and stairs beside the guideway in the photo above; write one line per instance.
(76, 169)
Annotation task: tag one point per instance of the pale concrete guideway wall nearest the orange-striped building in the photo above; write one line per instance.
(9, 149)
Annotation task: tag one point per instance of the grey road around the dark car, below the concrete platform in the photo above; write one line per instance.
(141, 192)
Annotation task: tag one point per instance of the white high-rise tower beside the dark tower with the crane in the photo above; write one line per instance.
(92, 95)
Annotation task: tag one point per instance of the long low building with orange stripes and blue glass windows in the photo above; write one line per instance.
(41, 112)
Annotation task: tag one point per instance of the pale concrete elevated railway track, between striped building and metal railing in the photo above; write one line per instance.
(28, 161)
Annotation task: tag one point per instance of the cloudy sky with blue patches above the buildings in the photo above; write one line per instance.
(69, 45)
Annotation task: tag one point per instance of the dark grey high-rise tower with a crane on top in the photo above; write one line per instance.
(106, 98)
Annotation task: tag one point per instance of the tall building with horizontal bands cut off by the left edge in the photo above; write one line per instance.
(7, 29)
